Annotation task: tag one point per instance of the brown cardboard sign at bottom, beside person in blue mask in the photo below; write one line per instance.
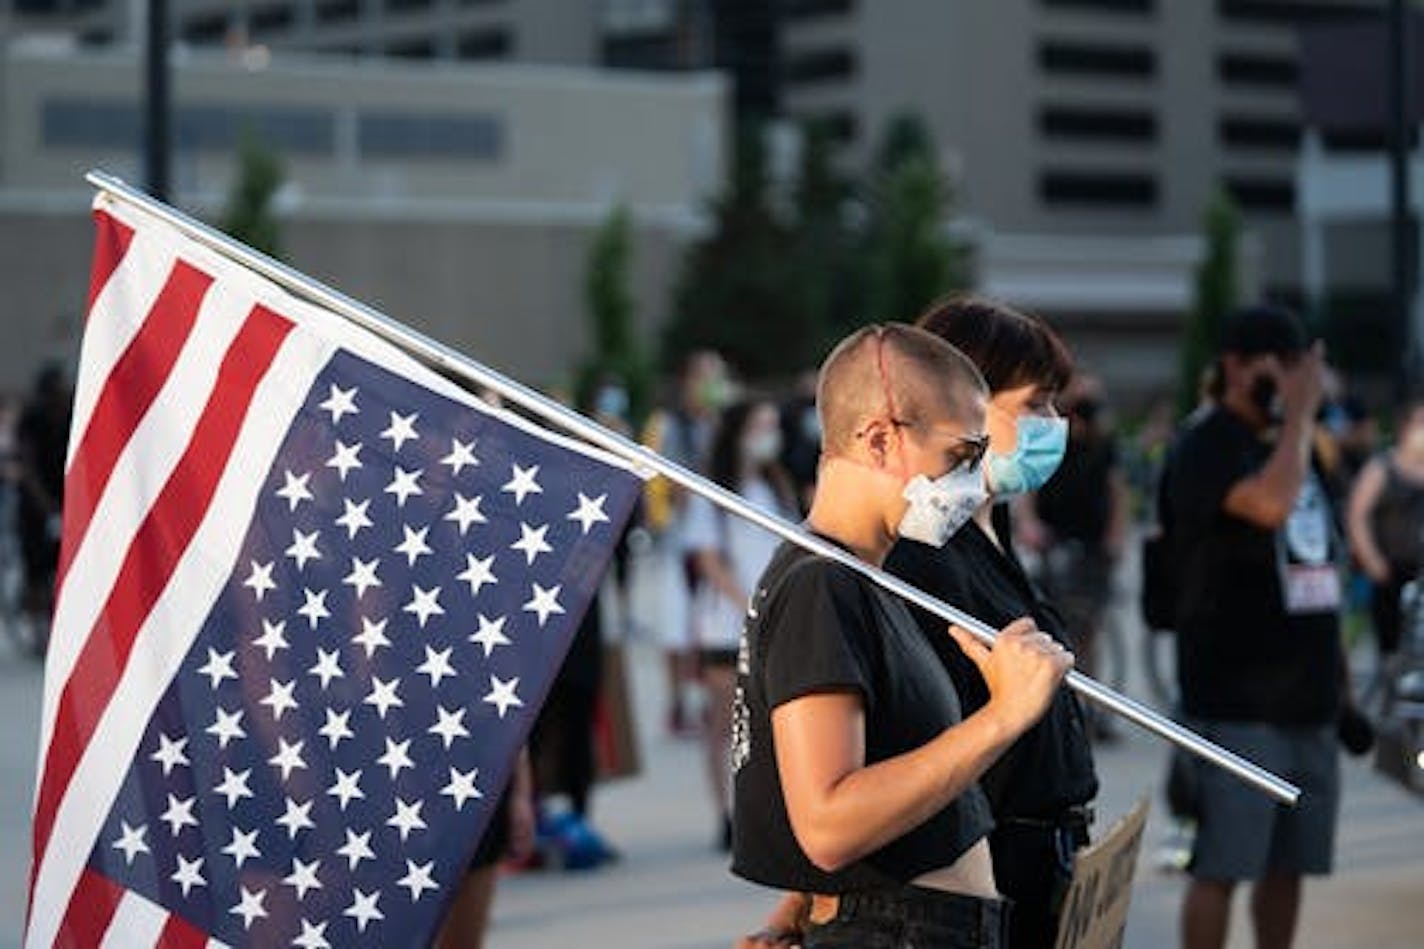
(1096, 910)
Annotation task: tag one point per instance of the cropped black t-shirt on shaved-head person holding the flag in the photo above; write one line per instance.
(814, 628)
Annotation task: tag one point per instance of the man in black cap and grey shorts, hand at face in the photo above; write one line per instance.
(1258, 623)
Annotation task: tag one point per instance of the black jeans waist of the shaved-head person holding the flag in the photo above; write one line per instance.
(912, 918)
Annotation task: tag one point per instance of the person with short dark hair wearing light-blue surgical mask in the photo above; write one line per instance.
(1040, 792)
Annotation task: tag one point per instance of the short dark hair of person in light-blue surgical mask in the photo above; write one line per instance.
(1010, 348)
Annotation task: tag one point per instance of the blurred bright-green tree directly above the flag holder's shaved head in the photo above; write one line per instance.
(909, 256)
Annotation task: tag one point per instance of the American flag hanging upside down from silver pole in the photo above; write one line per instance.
(311, 598)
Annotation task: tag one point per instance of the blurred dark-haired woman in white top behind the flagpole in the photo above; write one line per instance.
(730, 555)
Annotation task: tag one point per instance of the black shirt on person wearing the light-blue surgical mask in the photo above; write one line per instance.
(1050, 767)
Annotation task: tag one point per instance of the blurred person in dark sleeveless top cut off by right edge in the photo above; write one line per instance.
(1386, 525)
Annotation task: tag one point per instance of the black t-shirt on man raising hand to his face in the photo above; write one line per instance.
(1258, 622)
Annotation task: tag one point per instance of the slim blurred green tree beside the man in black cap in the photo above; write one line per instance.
(1215, 291)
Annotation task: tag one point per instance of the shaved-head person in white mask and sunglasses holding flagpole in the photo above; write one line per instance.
(855, 773)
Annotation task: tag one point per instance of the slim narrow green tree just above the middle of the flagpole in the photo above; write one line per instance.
(617, 357)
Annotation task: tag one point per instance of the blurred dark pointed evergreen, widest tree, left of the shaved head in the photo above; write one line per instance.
(738, 293)
